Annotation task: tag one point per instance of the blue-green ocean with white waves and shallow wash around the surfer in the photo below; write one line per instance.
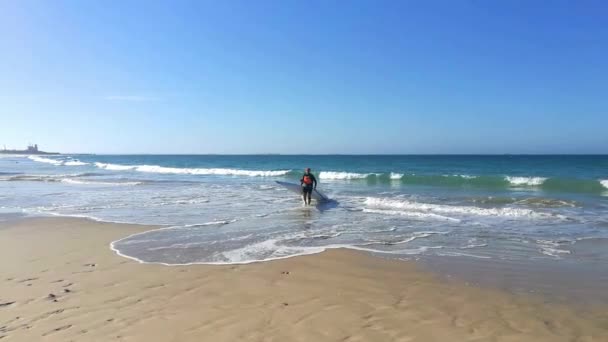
(227, 209)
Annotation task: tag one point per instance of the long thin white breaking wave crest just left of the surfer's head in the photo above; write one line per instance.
(191, 171)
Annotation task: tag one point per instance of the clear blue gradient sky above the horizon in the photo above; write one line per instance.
(305, 76)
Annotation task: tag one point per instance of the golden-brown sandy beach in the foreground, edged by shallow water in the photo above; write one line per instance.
(338, 295)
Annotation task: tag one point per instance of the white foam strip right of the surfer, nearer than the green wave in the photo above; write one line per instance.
(416, 207)
